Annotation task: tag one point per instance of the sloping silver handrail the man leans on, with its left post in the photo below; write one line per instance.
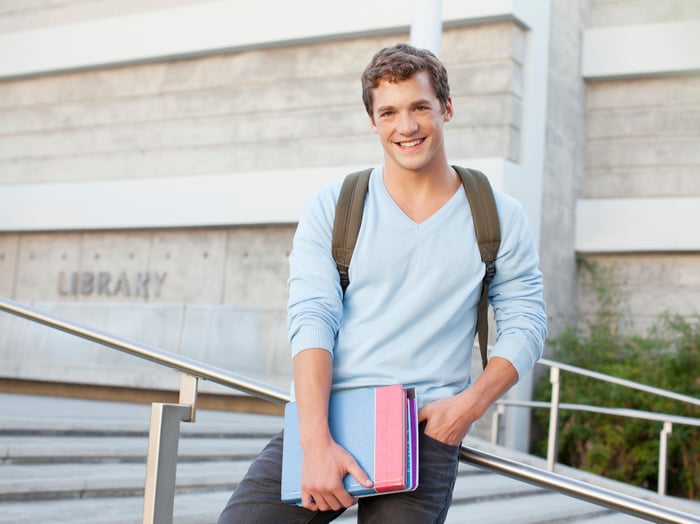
(193, 370)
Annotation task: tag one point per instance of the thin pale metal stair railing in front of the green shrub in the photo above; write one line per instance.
(556, 405)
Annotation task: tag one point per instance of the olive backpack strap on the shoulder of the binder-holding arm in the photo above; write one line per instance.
(348, 217)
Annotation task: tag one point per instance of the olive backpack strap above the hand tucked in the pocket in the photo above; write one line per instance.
(488, 236)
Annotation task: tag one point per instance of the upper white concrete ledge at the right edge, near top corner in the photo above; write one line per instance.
(641, 50)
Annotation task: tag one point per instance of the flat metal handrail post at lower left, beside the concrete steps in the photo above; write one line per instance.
(161, 462)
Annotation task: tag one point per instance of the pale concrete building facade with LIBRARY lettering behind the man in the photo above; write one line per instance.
(155, 156)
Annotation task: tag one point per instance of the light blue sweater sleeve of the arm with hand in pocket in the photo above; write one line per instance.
(516, 292)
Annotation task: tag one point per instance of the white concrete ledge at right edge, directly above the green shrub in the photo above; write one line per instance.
(637, 225)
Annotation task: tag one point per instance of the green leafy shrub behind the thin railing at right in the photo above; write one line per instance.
(622, 448)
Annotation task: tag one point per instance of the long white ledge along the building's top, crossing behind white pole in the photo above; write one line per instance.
(228, 25)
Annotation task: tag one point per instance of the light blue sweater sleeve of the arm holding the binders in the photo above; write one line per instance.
(315, 297)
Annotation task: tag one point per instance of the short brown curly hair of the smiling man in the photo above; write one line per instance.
(400, 62)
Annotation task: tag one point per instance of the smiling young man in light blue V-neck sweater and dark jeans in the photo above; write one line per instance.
(409, 313)
